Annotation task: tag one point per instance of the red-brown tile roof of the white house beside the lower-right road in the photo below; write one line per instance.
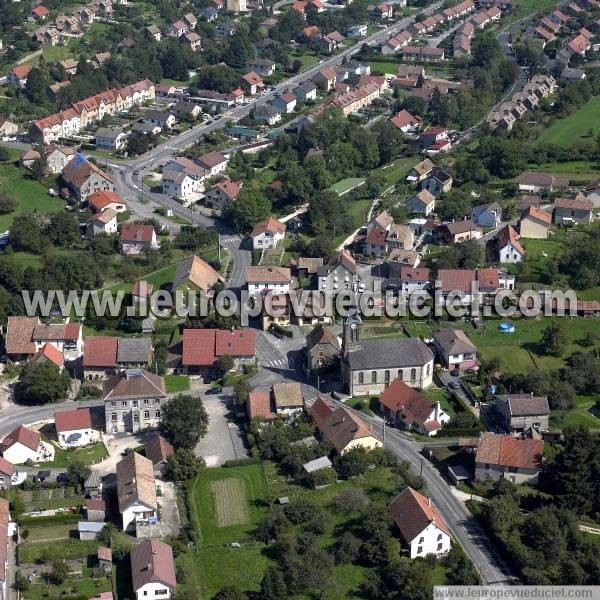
(413, 513)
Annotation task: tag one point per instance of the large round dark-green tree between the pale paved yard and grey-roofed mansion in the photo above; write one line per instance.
(184, 421)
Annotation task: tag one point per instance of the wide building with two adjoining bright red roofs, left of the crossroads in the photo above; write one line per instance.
(201, 348)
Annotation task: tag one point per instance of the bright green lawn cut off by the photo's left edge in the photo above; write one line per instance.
(31, 195)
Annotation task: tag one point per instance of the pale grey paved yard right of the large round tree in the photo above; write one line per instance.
(224, 440)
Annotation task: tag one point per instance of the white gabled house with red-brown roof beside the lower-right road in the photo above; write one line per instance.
(421, 526)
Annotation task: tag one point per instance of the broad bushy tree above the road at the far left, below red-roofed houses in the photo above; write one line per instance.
(41, 383)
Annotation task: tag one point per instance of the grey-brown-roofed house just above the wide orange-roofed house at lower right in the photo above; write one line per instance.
(520, 412)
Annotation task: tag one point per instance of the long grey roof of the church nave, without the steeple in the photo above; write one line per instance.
(394, 353)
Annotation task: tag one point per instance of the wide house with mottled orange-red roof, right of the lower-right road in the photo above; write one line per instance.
(504, 456)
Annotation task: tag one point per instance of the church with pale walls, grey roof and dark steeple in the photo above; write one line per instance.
(369, 366)
